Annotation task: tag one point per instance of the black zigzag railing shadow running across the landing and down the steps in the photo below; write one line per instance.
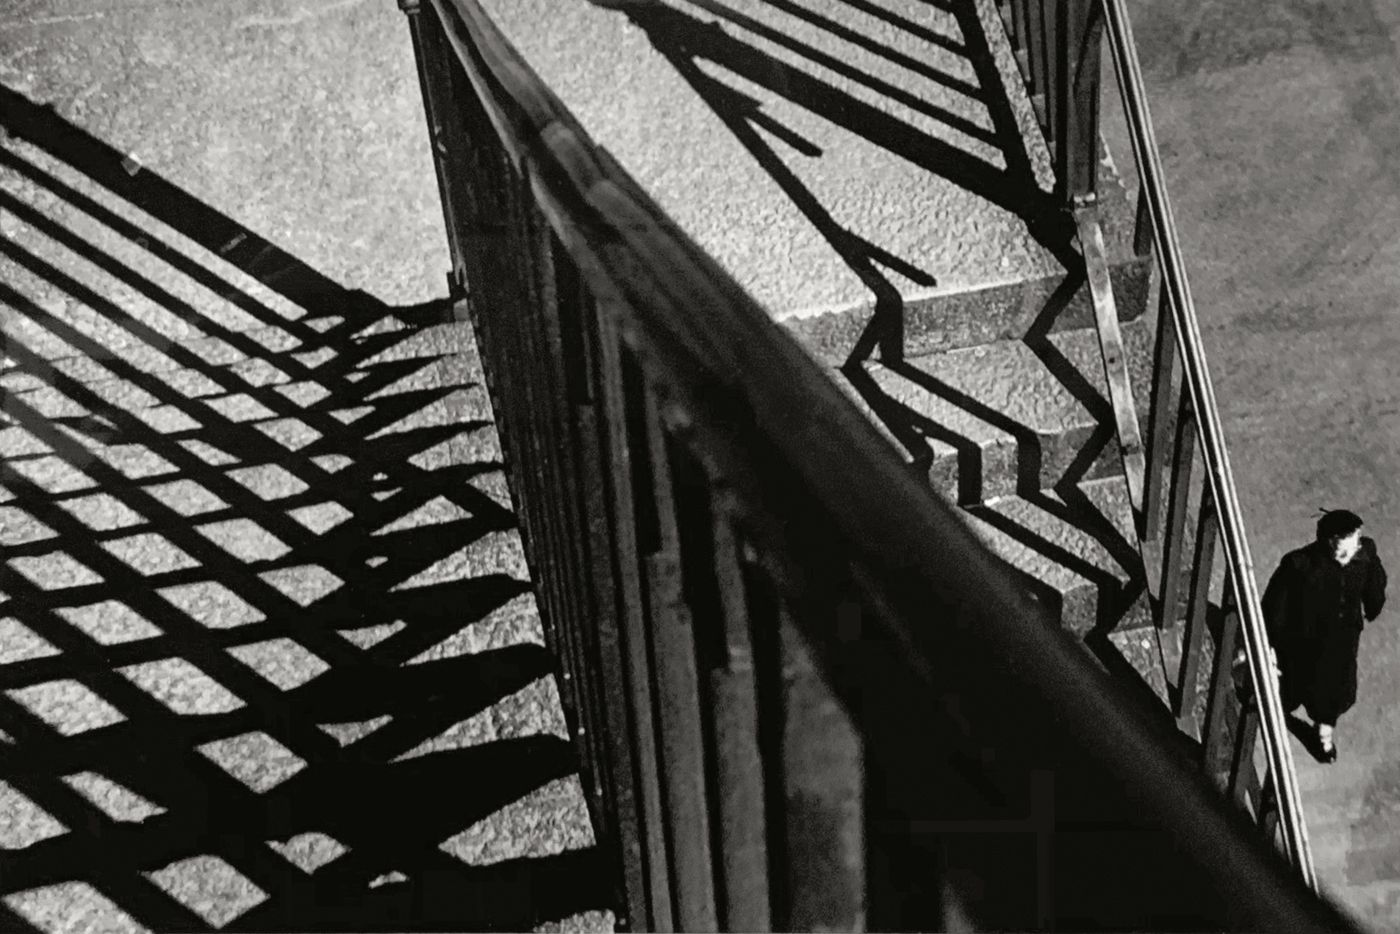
(688, 41)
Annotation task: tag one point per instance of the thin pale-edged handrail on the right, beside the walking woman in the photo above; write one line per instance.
(1212, 438)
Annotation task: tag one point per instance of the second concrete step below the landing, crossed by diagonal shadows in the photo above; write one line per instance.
(1076, 551)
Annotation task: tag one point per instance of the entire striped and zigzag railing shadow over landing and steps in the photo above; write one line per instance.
(951, 116)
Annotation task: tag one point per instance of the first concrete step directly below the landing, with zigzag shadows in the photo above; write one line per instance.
(1006, 418)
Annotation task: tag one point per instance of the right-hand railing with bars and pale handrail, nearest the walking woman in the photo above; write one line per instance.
(1058, 46)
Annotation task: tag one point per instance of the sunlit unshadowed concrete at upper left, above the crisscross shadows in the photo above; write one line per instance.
(276, 109)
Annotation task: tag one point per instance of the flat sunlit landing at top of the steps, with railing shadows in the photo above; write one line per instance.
(824, 153)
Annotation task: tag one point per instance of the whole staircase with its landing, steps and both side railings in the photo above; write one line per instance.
(804, 691)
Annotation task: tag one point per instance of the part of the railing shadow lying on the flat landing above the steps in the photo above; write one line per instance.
(947, 113)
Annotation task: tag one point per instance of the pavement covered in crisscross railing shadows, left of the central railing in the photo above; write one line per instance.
(268, 652)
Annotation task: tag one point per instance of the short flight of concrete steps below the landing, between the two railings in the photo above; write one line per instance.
(1000, 398)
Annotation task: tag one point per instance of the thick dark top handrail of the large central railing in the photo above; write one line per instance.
(911, 545)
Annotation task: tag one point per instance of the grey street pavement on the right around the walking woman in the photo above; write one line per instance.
(1280, 132)
